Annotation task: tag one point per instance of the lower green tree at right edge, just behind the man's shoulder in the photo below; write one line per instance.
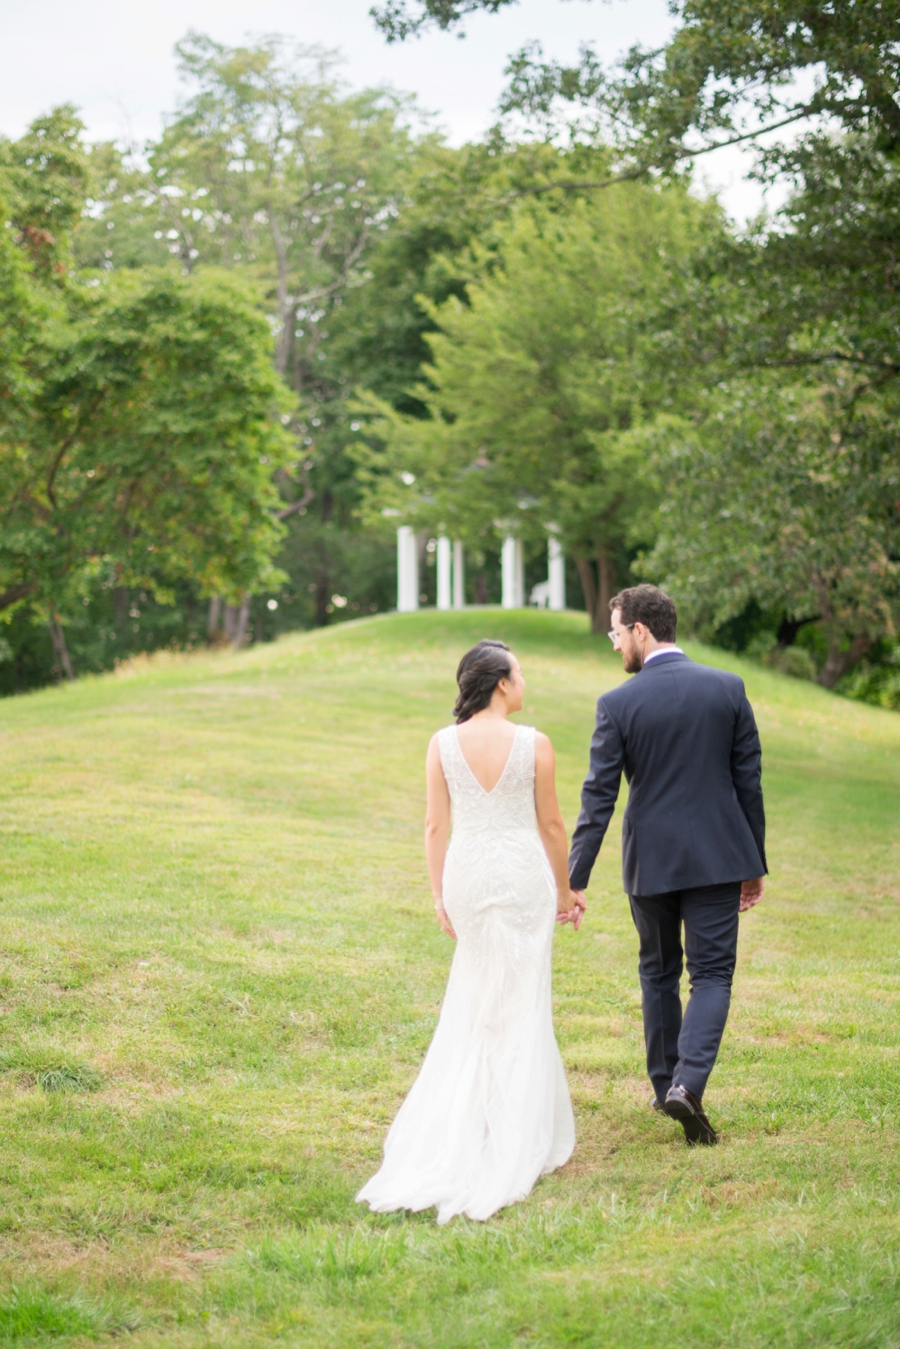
(787, 497)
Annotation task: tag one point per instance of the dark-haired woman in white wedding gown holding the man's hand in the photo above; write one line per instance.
(490, 1111)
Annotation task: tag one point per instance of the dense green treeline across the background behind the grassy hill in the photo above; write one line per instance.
(233, 364)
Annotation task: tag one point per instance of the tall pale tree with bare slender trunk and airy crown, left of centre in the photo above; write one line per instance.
(272, 171)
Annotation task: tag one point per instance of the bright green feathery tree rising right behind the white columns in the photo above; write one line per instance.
(540, 384)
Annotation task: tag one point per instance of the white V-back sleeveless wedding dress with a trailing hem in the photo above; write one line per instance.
(490, 1111)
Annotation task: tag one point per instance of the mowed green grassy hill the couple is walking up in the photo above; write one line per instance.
(221, 972)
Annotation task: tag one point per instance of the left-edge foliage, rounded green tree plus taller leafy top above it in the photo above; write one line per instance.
(140, 424)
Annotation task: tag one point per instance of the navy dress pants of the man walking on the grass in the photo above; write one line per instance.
(682, 1049)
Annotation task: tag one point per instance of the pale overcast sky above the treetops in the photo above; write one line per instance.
(115, 60)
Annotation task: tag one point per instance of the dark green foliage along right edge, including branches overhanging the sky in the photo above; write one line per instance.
(805, 308)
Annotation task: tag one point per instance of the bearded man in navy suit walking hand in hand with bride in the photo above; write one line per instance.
(693, 838)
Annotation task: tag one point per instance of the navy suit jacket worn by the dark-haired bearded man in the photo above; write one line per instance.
(686, 740)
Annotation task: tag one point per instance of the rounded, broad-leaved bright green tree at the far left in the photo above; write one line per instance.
(149, 446)
